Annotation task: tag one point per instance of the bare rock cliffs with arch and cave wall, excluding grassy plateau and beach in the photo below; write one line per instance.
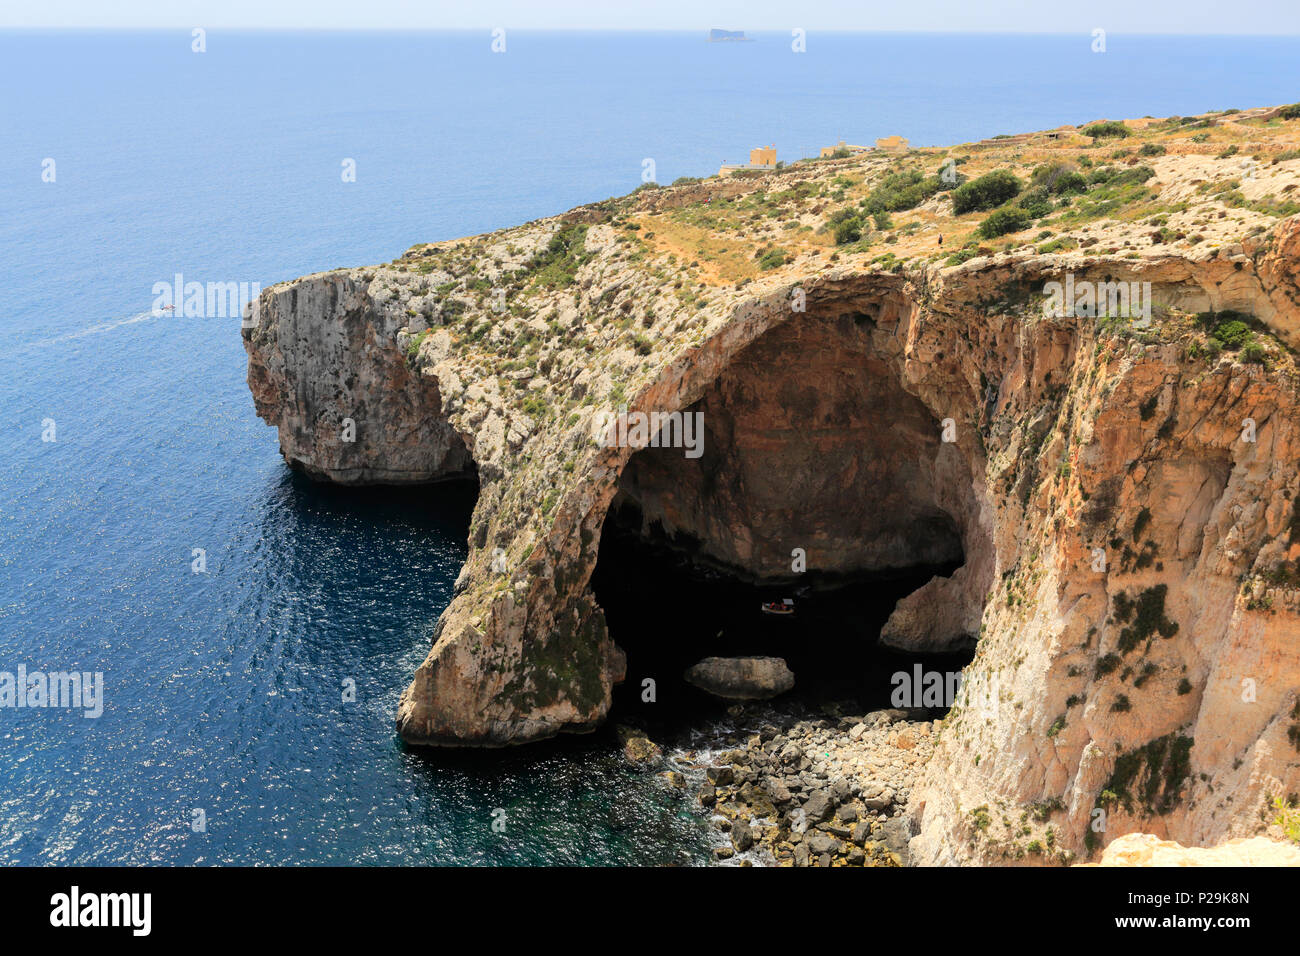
(1125, 505)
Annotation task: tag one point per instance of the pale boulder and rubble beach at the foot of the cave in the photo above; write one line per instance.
(804, 791)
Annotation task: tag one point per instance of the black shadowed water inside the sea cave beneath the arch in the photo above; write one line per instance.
(668, 613)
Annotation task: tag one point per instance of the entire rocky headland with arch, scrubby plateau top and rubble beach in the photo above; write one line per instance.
(1061, 361)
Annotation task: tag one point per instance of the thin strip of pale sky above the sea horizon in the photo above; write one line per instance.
(998, 16)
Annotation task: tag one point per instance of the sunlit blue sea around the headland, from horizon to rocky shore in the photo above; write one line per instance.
(223, 689)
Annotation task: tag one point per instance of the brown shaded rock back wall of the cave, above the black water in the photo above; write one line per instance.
(812, 443)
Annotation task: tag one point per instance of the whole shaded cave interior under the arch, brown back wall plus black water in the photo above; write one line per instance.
(811, 444)
